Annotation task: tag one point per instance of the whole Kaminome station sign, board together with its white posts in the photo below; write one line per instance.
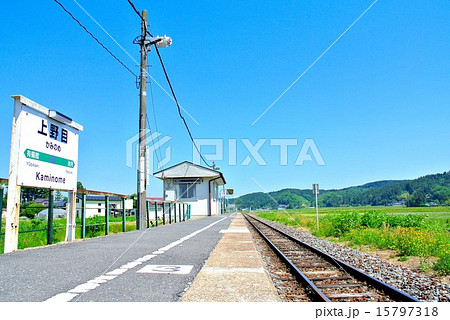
(44, 154)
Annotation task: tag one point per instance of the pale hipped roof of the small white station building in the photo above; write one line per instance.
(188, 169)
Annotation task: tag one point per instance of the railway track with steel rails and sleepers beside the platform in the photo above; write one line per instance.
(324, 277)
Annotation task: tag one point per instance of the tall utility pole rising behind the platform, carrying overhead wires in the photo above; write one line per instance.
(142, 179)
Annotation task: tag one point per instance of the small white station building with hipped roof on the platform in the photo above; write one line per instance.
(194, 184)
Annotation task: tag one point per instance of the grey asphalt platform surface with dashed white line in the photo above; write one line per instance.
(151, 265)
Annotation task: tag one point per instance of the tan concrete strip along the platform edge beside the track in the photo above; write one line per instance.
(234, 272)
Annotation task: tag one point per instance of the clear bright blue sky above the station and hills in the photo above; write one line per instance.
(376, 104)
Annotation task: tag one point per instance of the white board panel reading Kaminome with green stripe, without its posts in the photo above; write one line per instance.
(48, 150)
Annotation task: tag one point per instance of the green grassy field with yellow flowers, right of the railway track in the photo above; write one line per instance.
(411, 232)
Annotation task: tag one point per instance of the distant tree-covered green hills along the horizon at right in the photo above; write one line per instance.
(432, 189)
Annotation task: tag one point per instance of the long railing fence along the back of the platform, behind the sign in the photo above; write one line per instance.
(158, 213)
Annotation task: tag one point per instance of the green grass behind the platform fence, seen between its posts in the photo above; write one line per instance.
(39, 238)
